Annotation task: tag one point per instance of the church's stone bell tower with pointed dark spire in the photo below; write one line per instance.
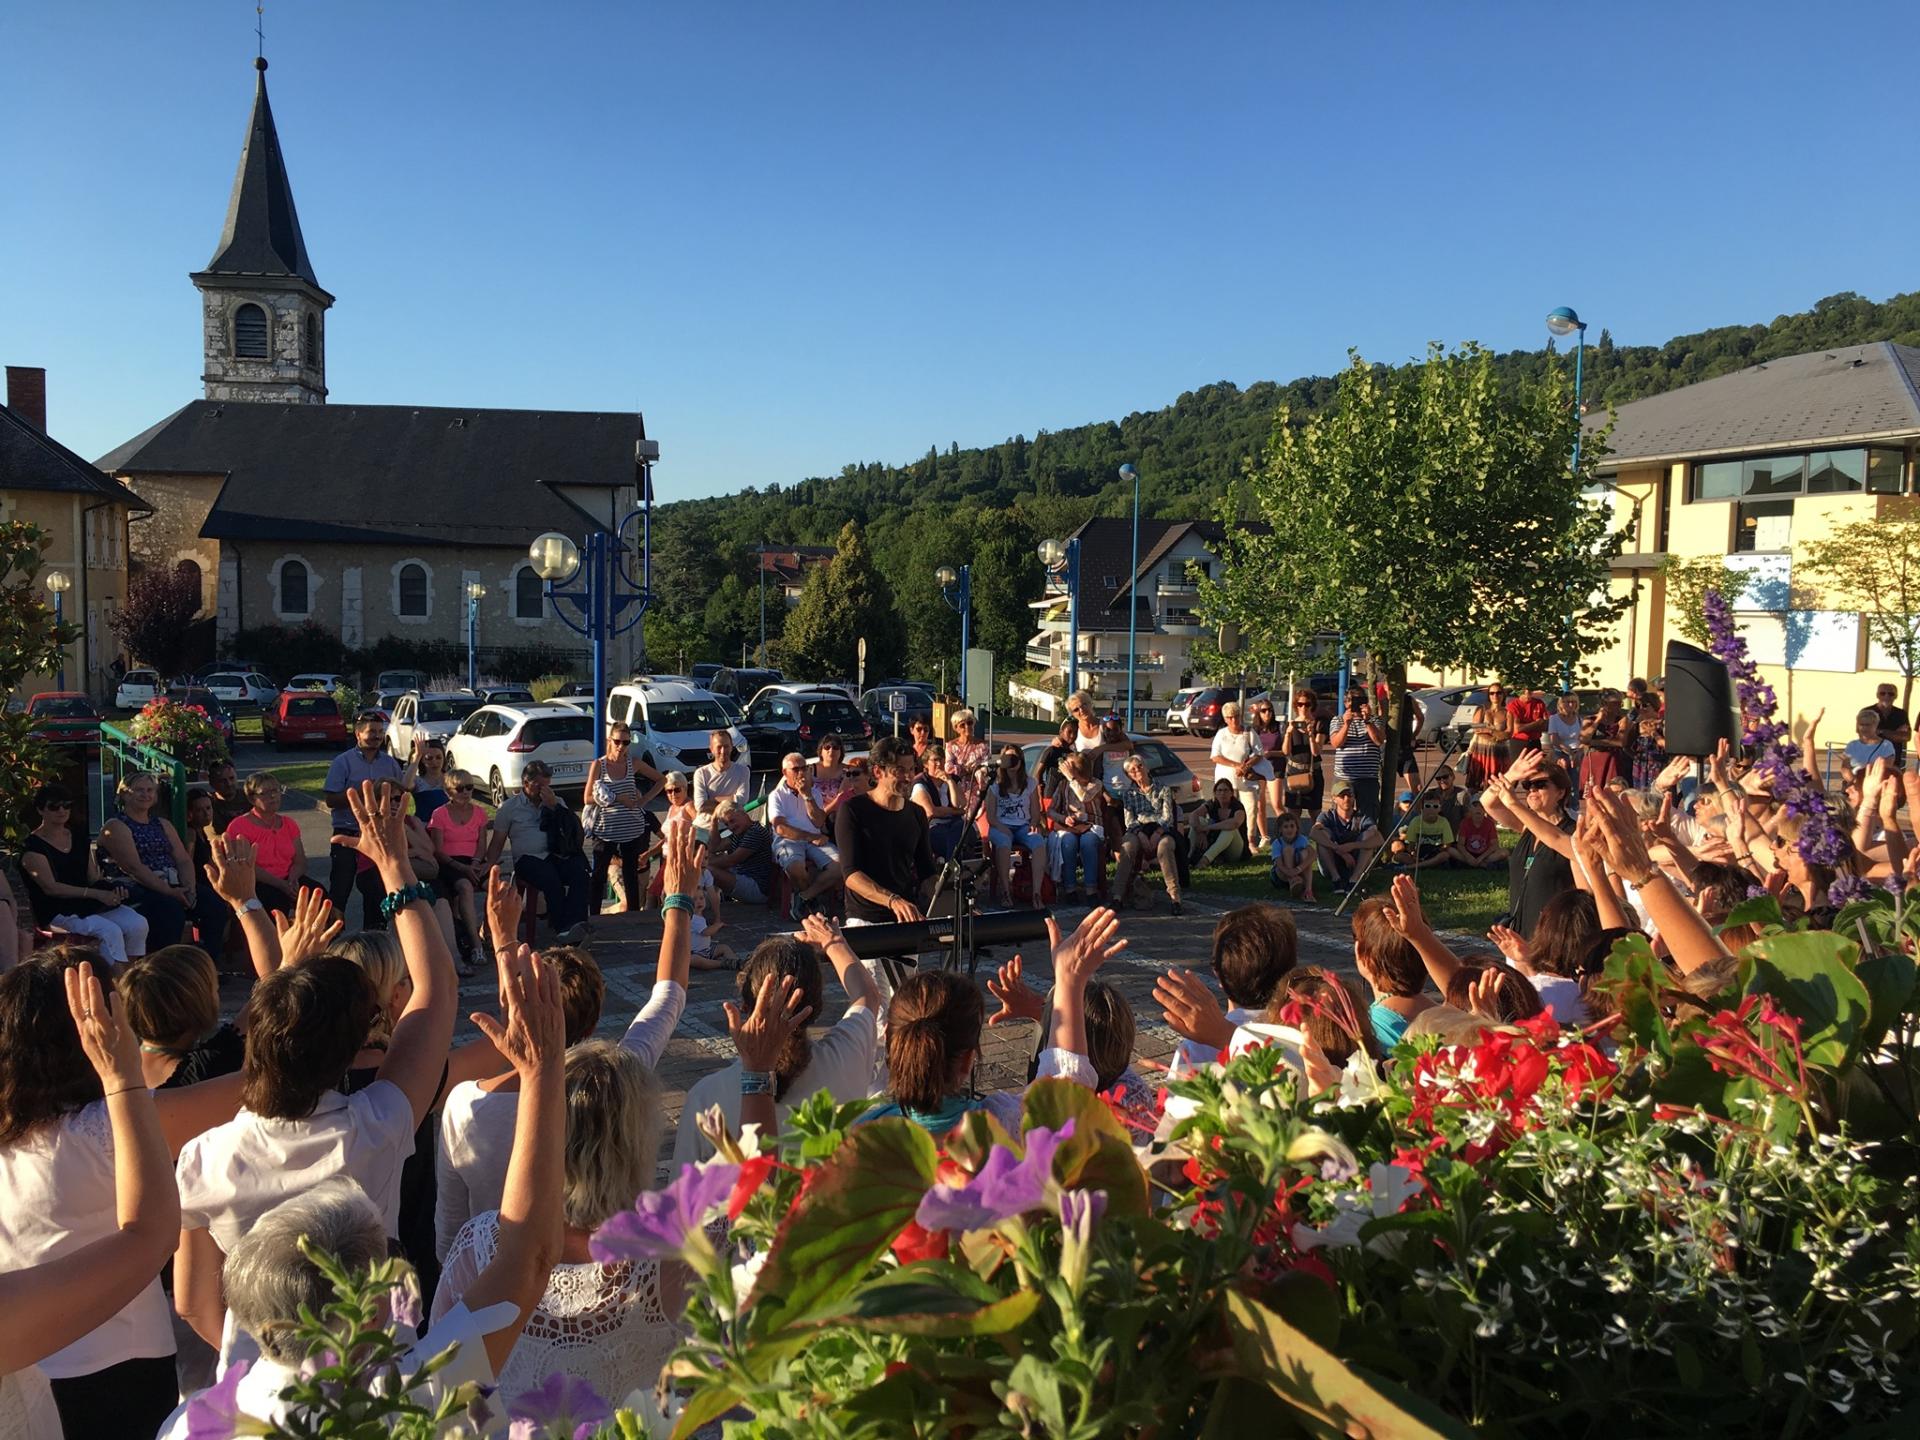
(262, 304)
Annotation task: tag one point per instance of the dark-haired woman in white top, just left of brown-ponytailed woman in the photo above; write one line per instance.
(838, 1063)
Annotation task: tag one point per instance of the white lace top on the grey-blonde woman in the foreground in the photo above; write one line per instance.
(602, 1324)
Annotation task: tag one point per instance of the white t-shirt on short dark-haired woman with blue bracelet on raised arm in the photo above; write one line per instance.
(237, 1172)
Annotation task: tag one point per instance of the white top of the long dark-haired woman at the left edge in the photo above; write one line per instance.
(59, 1197)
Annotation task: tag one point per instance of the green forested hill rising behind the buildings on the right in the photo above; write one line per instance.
(1003, 498)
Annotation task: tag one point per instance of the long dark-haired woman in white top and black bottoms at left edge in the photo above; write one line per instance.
(62, 1157)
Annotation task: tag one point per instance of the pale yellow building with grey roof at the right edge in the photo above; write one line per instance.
(1754, 468)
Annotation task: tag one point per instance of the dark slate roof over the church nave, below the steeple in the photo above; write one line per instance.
(389, 475)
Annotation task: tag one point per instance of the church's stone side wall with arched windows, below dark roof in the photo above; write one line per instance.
(366, 592)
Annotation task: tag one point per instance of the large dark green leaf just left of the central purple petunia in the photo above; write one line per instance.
(852, 1211)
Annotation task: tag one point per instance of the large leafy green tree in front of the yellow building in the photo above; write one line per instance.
(1429, 517)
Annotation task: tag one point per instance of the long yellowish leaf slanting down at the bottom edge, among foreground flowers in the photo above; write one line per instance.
(1330, 1397)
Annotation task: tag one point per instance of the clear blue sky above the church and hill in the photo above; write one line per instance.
(802, 235)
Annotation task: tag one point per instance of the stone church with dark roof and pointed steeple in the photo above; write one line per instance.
(368, 521)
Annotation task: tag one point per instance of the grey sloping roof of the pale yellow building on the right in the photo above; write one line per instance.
(1823, 398)
